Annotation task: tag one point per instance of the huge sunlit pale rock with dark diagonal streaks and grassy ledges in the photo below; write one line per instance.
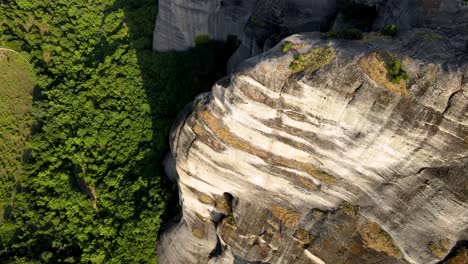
(329, 162)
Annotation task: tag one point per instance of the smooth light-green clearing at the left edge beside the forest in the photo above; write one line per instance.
(16, 89)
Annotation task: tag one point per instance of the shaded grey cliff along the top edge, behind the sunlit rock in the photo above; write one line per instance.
(260, 24)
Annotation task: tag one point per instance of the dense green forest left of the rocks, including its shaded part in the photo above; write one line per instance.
(90, 186)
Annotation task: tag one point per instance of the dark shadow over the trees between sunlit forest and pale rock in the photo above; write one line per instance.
(171, 80)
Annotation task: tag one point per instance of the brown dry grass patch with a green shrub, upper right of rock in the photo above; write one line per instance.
(385, 70)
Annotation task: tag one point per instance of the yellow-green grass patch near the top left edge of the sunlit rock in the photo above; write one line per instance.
(313, 60)
